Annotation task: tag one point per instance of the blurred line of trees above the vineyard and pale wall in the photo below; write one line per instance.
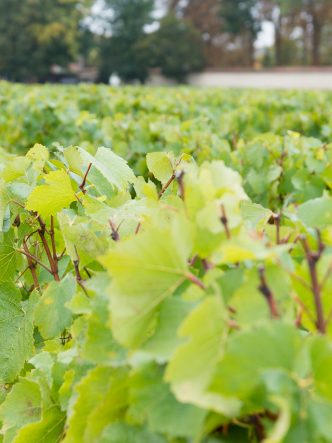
(161, 41)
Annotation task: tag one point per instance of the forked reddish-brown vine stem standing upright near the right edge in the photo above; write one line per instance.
(312, 258)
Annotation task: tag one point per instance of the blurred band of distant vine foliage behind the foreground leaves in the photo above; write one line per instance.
(133, 121)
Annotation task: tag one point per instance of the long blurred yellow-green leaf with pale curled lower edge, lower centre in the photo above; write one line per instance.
(193, 364)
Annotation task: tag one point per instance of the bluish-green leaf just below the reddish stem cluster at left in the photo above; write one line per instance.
(51, 314)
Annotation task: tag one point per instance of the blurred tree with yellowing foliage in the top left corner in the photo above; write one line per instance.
(36, 34)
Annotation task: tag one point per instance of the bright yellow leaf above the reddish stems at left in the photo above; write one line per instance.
(56, 194)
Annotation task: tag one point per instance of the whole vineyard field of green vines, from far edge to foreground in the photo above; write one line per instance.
(165, 265)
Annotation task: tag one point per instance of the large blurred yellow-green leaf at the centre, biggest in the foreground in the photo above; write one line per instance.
(156, 261)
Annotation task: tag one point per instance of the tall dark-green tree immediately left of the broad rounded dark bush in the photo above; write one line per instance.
(118, 52)
